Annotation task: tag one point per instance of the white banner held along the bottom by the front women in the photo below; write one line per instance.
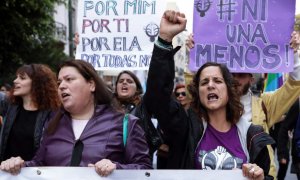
(82, 173)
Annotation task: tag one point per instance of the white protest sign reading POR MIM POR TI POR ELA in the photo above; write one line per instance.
(118, 34)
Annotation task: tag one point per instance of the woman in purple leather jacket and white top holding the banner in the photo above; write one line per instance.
(88, 130)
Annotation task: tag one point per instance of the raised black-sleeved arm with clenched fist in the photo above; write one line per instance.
(158, 99)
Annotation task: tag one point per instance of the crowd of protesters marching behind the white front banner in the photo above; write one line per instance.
(212, 122)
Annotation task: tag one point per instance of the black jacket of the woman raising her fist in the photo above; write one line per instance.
(186, 130)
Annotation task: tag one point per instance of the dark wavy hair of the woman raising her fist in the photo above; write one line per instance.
(234, 107)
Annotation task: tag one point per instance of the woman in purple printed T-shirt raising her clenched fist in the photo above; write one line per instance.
(211, 133)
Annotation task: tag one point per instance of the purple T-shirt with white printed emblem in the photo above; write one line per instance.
(220, 150)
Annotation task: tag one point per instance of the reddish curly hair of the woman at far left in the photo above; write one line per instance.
(44, 86)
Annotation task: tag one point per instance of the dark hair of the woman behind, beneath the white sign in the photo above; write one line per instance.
(139, 89)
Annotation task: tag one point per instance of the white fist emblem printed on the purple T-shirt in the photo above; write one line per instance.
(218, 159)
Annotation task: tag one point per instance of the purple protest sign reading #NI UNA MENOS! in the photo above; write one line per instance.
(246, 35)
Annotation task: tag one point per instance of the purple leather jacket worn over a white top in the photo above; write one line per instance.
(102, 138)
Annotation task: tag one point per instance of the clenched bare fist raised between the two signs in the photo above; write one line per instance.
(171, 24)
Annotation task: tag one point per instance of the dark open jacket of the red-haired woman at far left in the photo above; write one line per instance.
(10, 114)
